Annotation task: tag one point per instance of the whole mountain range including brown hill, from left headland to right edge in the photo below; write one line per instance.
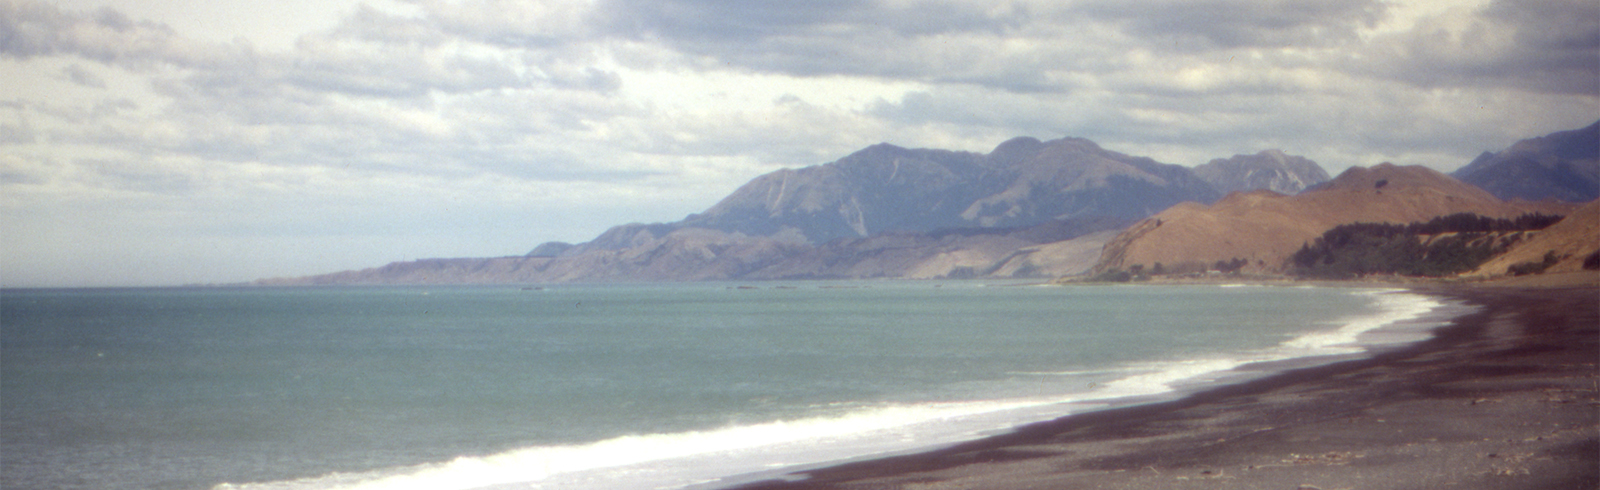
(1028, 209)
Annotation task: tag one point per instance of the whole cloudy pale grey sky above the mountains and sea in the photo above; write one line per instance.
(214, 142)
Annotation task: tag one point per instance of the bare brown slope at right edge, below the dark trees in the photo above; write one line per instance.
(1570, 243)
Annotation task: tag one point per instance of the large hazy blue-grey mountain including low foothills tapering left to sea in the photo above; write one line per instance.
(1028, 209)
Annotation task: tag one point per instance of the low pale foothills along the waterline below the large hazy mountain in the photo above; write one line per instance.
(665, 254)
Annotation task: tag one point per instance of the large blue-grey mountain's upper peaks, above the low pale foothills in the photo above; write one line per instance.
(886, 188)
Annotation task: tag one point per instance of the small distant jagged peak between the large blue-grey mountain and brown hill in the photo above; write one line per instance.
(1270, 171)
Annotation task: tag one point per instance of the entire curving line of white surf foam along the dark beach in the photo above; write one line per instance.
(599, 465)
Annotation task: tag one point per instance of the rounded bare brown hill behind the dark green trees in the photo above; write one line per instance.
(1265, 228)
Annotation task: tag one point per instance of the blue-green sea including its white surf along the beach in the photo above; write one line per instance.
(609, 387)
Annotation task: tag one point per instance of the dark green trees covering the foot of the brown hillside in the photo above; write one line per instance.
(1439, 247)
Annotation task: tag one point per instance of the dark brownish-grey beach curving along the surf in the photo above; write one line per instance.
(1505, 398)
